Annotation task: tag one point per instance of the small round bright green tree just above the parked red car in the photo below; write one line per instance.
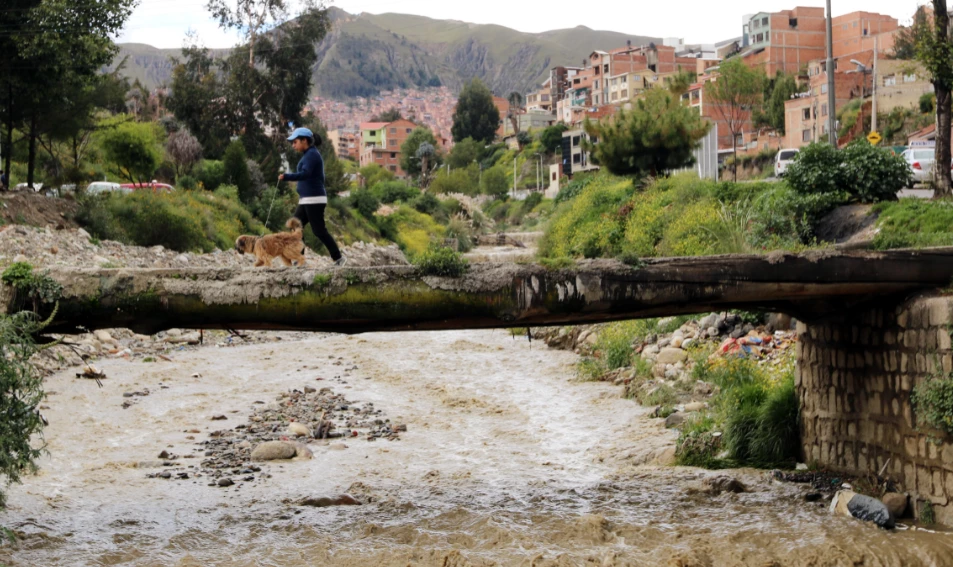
(133, 148)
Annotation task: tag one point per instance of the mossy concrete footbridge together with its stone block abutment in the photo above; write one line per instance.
(873, 325)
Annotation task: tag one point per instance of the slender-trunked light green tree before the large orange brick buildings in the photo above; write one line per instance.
(735, 93)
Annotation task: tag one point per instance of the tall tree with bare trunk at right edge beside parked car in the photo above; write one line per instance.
(935, 51)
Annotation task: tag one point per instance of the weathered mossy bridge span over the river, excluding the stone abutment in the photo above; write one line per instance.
(811, 286)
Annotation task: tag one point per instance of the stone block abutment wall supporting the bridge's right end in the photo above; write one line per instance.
(854, 379)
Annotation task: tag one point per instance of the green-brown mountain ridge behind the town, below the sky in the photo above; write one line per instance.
(367, 53)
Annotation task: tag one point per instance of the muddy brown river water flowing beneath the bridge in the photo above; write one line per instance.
(507, 460)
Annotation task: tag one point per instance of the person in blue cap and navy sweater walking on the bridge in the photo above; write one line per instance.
(312, 196)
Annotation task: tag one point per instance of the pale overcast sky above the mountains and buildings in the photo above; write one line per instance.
(164, 23)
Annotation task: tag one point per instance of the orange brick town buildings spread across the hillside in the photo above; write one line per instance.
(789, 42)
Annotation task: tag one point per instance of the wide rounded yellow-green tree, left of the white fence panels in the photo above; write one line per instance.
(659, 134)
